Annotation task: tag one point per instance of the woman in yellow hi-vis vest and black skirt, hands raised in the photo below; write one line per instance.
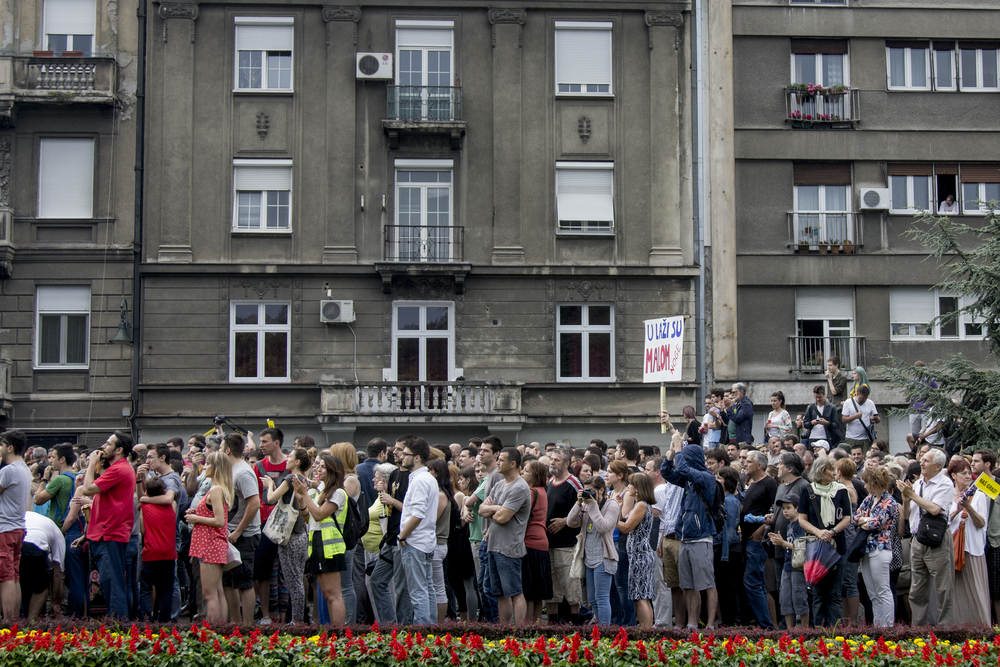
(327, 513)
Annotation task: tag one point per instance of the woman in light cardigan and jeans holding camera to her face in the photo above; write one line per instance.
(598, 514)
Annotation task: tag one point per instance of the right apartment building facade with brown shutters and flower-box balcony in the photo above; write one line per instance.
(848, 119)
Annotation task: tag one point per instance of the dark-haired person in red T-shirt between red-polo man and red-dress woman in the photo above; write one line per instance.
(159, 533)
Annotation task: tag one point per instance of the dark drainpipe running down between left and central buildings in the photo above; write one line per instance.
(140, 136)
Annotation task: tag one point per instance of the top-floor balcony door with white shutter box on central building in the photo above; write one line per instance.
(424, 69)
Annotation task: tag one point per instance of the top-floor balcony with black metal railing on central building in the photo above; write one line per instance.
(424, 110)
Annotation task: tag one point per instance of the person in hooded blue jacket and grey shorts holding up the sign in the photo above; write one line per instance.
(685, 467)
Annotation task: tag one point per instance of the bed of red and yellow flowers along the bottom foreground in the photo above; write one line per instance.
(199, 645)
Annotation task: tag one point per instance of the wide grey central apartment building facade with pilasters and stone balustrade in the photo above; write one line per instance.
(383, 218)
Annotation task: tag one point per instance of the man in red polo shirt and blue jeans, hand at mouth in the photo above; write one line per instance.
(111, 518)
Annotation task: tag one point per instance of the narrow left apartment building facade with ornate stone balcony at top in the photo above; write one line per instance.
(68, 73)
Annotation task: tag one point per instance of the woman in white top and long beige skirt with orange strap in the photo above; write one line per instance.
(972, 590)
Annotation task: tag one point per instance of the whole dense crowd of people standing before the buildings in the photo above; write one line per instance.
(705, 528)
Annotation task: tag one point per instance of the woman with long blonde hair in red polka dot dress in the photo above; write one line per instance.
(210, 536)
